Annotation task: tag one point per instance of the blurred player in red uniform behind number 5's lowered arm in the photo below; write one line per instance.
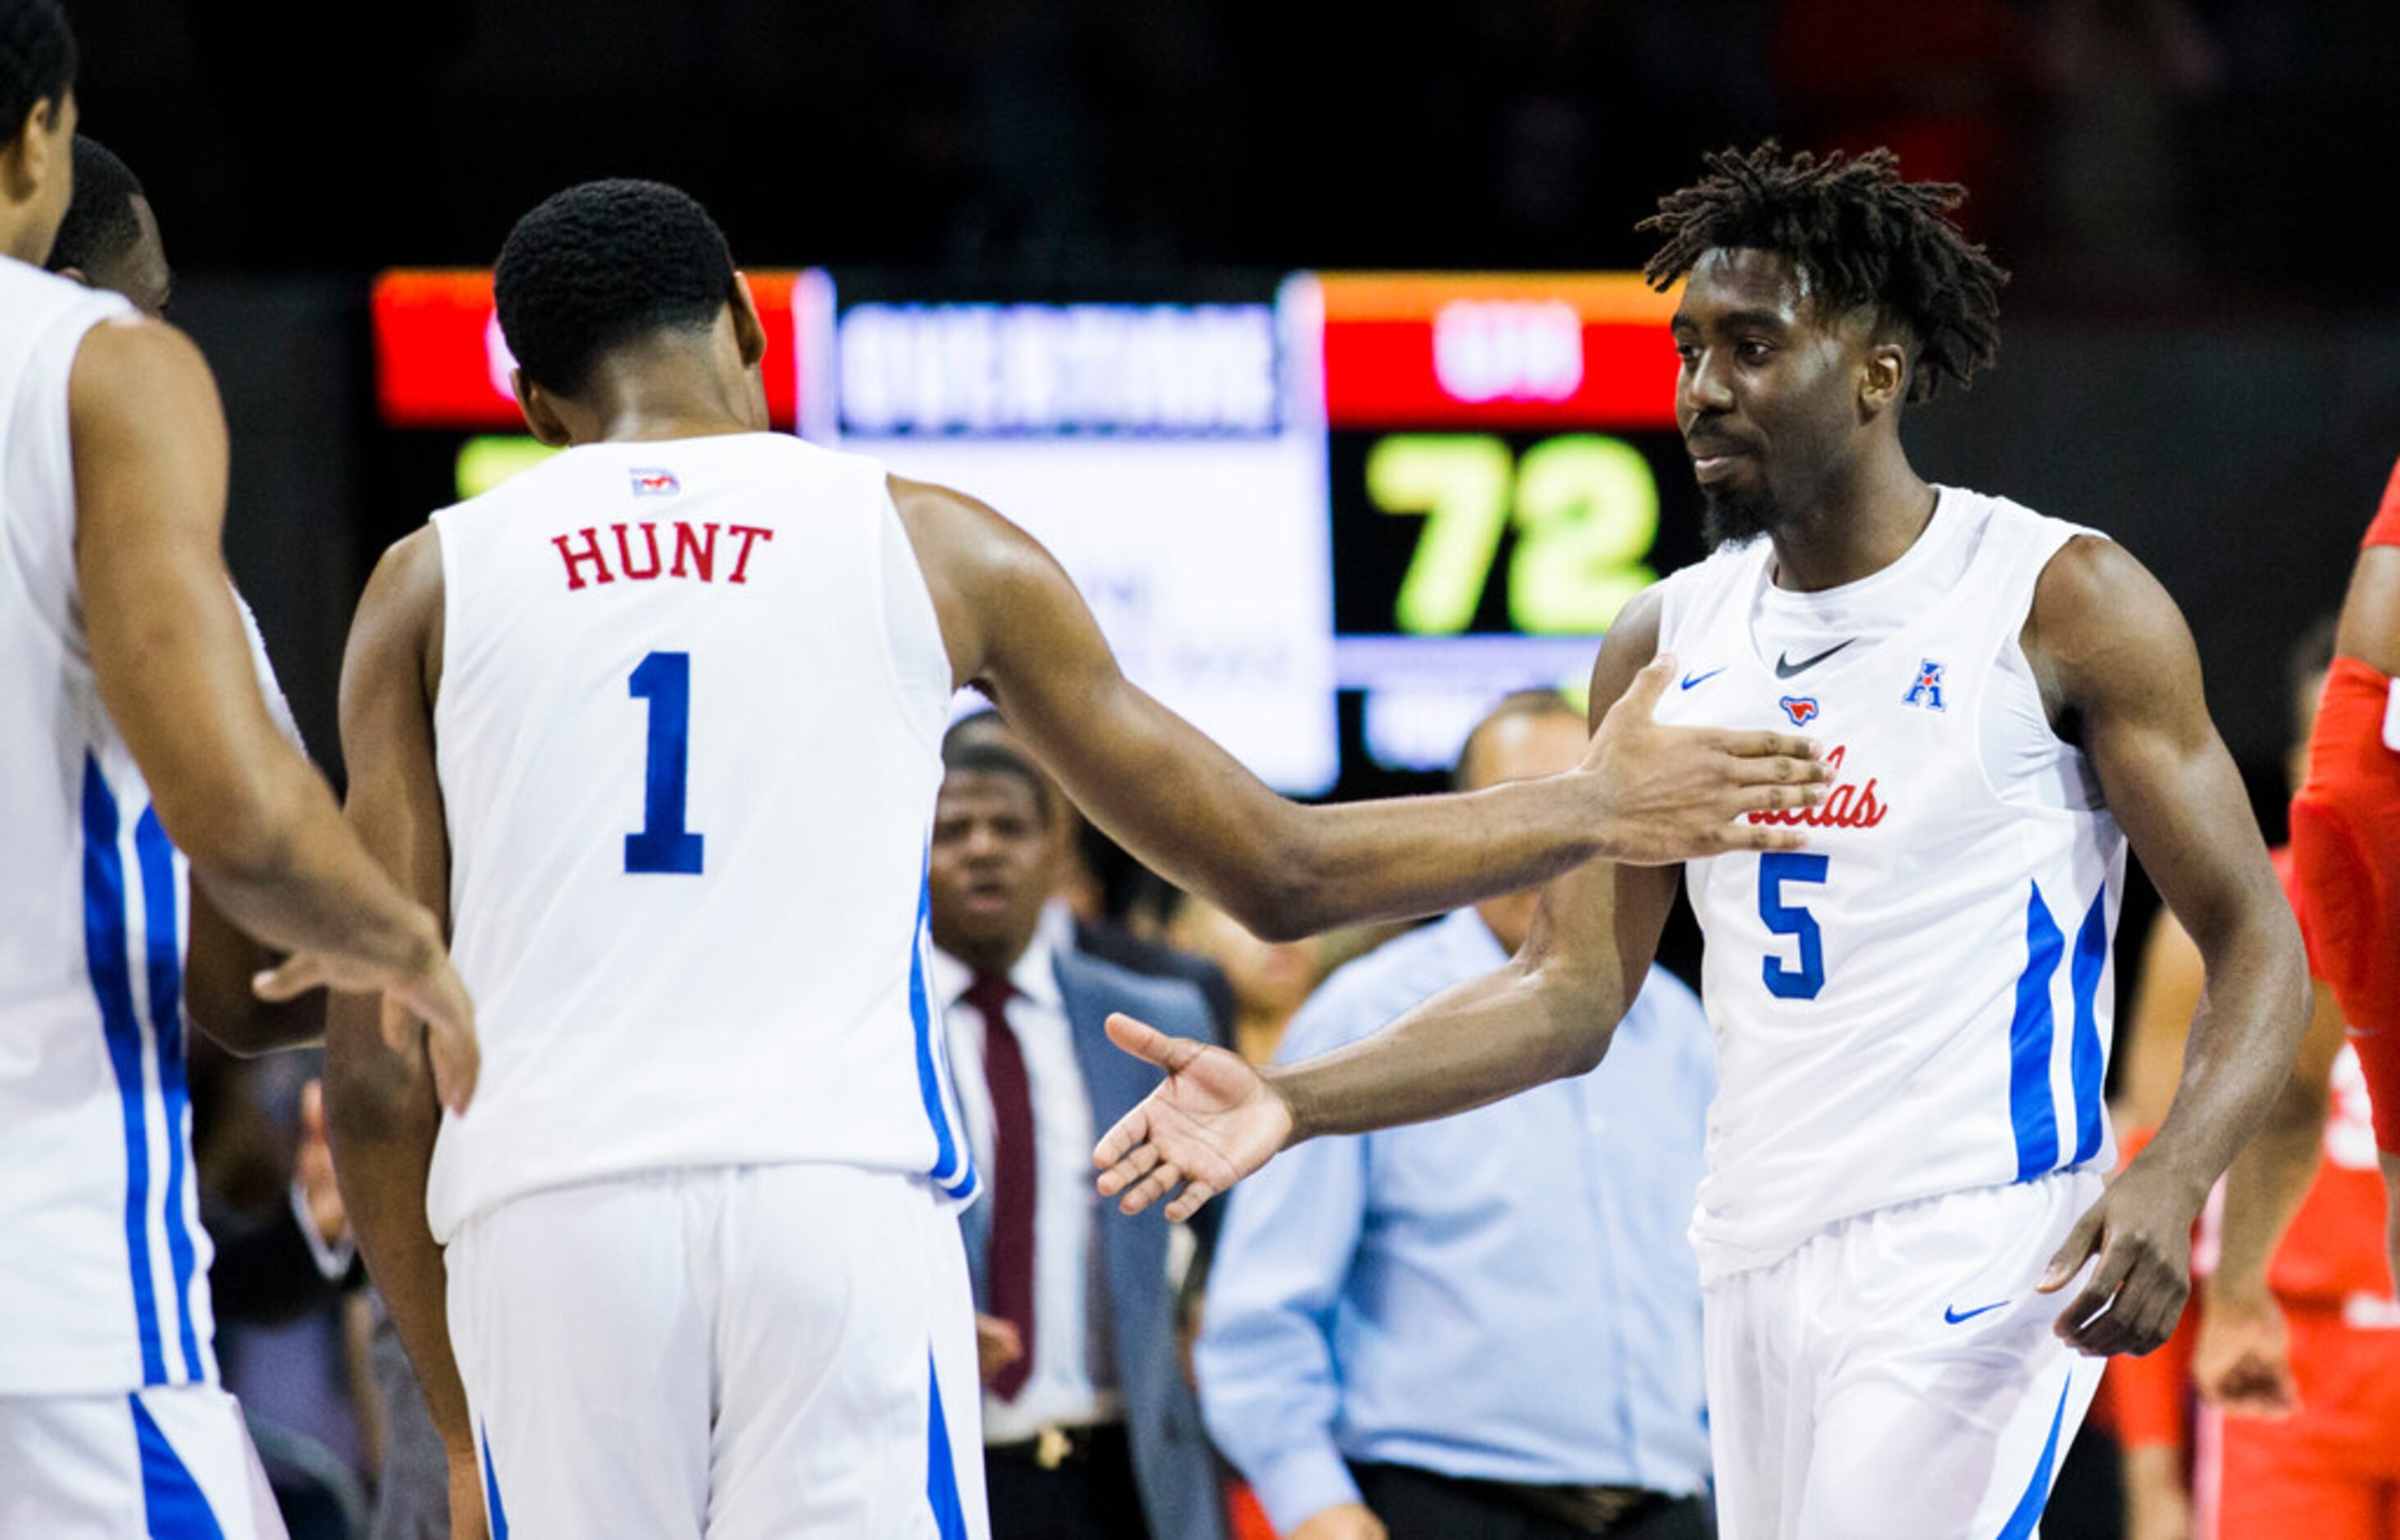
(2308, 1440)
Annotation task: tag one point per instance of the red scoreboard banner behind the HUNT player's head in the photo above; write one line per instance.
(443, 363)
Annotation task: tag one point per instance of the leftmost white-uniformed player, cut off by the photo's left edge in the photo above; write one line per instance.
(136, 754)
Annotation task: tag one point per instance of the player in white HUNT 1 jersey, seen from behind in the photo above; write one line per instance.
(656, 726)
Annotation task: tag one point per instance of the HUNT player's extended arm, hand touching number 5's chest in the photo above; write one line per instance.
(1180, 802)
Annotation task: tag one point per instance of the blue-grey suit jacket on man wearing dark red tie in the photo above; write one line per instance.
(1172, 1457)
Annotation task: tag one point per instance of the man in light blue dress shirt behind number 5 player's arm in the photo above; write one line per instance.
(1484, 1325)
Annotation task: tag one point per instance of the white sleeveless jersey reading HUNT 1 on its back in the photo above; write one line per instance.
(690, 740)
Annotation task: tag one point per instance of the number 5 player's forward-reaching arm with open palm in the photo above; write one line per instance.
(1547, 1013)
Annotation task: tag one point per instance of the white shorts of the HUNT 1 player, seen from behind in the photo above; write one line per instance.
(724, 1352)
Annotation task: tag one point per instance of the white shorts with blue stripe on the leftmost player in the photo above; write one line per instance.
(164, 1464)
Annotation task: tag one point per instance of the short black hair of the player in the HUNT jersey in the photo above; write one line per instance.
(599, 265)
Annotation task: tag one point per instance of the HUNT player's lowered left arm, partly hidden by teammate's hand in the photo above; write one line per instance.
(380, 1100)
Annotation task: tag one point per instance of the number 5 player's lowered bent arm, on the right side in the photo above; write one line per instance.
(2123, 675)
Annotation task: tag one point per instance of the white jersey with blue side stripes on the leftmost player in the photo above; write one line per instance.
(104, 1270)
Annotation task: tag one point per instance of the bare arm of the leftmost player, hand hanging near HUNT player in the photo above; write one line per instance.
(167, 646)
